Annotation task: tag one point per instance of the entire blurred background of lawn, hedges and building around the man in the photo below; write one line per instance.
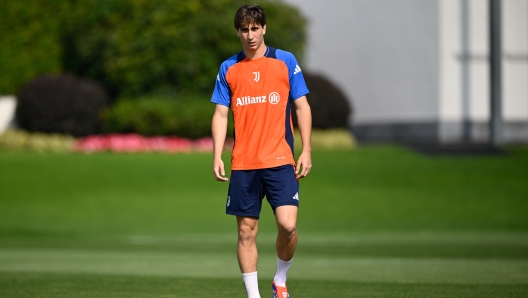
(82, 80)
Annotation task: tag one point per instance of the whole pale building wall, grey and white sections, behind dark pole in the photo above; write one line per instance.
(402, 64)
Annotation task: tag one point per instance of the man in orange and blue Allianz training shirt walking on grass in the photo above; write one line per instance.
(261, 85)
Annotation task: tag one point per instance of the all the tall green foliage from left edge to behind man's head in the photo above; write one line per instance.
(133, 47)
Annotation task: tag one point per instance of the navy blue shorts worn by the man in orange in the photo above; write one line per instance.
(247, 188)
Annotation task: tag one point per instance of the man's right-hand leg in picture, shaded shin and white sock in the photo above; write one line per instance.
(286, 217)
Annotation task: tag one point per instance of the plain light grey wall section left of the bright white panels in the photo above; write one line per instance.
(382, 53)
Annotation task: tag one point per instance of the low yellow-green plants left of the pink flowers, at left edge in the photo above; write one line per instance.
(39, 142)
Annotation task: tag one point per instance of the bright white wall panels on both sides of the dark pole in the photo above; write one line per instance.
(473, 104)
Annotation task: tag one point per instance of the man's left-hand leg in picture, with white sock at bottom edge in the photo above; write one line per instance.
(247, 253)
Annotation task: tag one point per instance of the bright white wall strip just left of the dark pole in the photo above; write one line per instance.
(464, 69)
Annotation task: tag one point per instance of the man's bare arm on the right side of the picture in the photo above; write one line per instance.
(304, 122)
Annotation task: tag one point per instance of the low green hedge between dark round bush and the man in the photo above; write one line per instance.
(189, 118)
